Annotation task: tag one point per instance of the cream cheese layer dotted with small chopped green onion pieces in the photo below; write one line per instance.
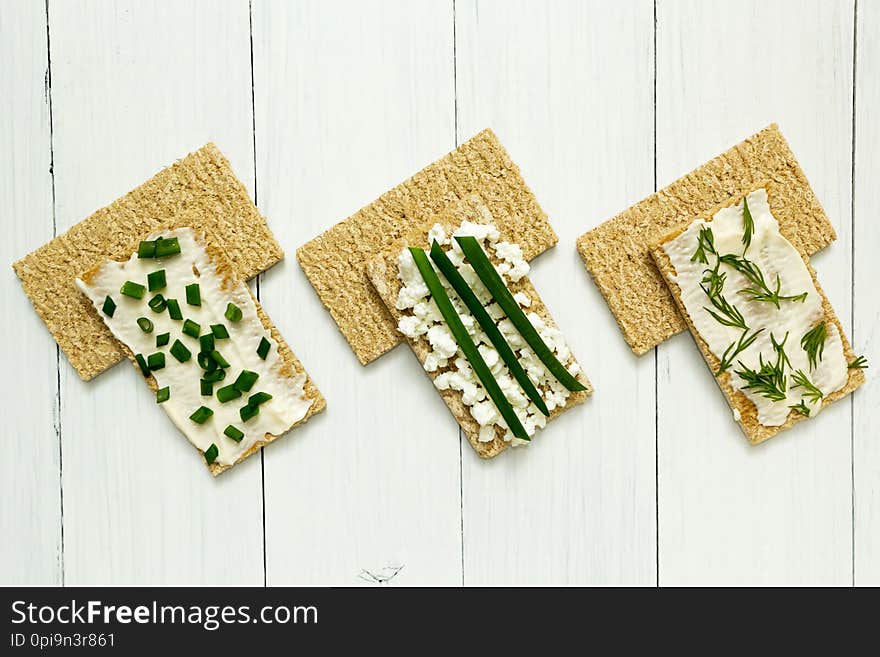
(240, 349)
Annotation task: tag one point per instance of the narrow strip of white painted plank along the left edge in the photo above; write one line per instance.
(30, 485)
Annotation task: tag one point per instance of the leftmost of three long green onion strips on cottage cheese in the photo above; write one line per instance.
(459, 332)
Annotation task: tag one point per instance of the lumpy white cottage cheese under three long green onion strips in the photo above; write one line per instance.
(424, 321)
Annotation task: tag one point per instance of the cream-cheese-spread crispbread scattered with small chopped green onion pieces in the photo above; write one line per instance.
(202, 261)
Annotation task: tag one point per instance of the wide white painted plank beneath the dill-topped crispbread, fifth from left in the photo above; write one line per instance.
(781, 512)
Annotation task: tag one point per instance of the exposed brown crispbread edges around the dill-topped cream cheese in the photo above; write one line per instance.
(754, 431)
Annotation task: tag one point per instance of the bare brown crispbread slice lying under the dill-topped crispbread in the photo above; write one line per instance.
(617, 253)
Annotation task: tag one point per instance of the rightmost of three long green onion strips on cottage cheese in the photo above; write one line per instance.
(493, 281)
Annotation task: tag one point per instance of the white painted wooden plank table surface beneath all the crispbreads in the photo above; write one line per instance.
(320, 107)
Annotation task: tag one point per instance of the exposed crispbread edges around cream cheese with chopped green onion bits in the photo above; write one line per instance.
(292, 367)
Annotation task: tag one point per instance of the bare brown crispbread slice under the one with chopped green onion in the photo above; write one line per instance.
(200, 190)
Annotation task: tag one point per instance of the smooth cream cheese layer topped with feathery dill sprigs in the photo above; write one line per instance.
(753, 301)
